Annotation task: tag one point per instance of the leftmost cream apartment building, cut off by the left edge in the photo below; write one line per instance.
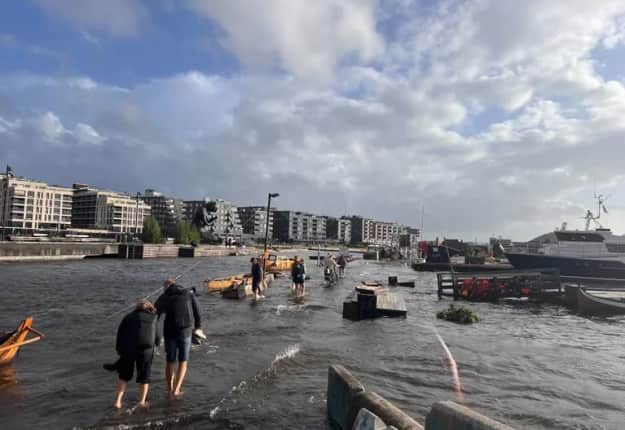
(27, 204)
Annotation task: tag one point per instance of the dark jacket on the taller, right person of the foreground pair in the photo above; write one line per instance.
(181, 311)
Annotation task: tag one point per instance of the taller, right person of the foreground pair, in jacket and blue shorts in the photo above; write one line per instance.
(182, 315)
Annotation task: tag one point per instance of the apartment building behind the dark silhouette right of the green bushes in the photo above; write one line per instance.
(217, 218)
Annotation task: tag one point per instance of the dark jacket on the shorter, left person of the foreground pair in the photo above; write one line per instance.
(137, 331)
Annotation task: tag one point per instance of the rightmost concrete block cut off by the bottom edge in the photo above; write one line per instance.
(450, 415)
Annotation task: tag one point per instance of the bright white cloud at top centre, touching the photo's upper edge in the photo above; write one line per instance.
(308, 39)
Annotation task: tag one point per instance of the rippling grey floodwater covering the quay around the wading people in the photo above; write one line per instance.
(265, 365)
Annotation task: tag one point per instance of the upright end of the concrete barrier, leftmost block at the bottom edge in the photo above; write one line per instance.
(343, 387)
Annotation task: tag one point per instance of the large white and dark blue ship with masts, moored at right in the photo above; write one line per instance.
(580, 255)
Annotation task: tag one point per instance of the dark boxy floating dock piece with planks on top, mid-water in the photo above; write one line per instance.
(372, 301)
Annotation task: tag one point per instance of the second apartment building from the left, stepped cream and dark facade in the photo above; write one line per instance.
(109, 210)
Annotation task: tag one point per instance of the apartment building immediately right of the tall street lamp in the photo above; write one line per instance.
(295, 226)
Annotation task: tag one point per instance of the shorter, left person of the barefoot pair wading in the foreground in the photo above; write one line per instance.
(136, 336)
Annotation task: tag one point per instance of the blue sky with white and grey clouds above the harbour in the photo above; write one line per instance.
(491, 117)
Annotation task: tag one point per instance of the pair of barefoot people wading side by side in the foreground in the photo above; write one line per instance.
(139, 333)
